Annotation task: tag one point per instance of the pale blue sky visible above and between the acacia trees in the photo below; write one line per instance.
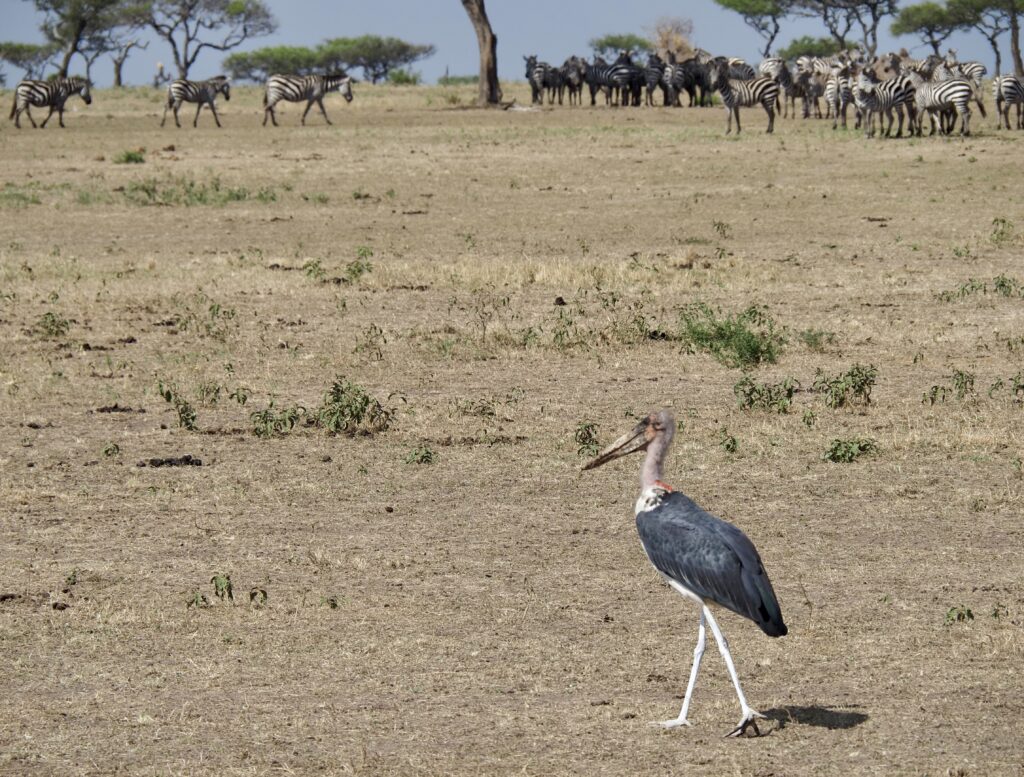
(551, 29)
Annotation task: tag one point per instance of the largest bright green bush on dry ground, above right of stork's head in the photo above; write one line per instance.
(743, 341)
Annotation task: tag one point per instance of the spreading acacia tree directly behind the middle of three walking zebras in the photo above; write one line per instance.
(191, 26)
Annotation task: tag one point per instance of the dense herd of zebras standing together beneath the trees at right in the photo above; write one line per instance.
(881, 91)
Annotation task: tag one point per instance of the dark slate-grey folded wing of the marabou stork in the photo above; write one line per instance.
(712, 558)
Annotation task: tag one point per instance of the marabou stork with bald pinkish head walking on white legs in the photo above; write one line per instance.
(701, 556)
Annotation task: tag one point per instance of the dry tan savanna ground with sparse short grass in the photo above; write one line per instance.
(452, 595)
